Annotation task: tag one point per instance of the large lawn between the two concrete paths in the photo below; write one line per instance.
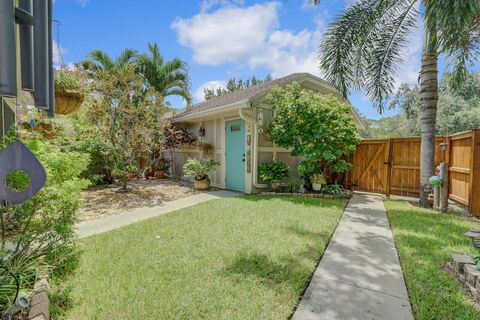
(240, 258)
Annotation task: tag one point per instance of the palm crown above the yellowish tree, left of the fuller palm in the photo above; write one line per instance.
(99, 60)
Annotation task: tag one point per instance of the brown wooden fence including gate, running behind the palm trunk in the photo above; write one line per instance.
(392, 166)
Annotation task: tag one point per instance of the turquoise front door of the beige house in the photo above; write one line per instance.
(235, 154)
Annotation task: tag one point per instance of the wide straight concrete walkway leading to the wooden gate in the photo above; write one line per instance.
(359, 276)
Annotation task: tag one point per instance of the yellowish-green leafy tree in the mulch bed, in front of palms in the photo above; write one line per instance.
(127, 117)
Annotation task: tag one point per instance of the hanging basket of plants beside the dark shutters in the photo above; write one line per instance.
(69, 90)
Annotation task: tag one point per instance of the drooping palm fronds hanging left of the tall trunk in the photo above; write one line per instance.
(363, 46)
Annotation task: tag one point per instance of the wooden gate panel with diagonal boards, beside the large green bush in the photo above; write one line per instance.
(370, 166)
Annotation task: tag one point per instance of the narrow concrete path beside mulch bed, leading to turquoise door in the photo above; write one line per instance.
(89, 228)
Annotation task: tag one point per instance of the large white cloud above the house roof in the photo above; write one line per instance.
(249, 36)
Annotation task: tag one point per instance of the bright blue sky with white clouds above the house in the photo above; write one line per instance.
(219, 39)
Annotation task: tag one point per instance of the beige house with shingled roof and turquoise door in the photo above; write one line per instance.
(234, 124)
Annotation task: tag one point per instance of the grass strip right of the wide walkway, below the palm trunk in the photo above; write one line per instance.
(425, 239)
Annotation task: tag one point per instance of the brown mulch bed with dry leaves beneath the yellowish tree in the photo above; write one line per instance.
(106, 201)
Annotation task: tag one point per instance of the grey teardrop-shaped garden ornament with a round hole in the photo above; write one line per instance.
(17, 157)
